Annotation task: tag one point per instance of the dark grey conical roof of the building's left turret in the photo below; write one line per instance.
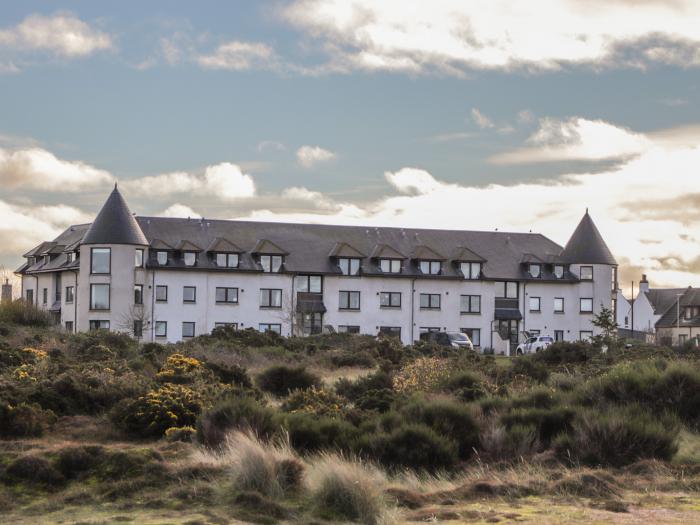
(115, 224)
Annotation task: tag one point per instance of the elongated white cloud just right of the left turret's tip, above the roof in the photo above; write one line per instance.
(223, 181)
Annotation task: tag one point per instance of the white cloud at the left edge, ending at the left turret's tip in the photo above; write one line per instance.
(41, 170)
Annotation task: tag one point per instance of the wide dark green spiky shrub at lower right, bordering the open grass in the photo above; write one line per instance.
(618, 437)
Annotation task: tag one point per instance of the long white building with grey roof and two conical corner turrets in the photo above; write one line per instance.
(165, 279)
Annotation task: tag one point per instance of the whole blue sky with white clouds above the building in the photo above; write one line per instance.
(466, 115)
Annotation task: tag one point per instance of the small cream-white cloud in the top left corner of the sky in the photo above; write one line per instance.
(61, 34)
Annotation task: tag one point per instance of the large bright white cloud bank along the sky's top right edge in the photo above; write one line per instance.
(454, 35)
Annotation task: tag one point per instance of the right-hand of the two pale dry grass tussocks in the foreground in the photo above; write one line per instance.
(346, 490)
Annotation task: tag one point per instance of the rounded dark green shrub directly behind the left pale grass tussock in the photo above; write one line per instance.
(235, 413)
